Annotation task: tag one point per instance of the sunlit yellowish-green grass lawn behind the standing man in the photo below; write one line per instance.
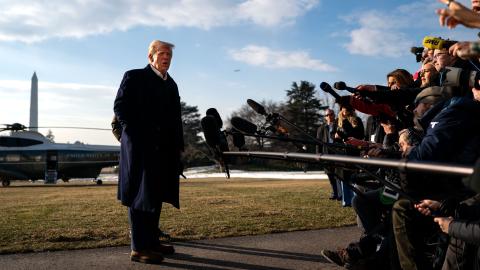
(37, 217)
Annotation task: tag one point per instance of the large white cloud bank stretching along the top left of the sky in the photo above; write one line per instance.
(33, 21)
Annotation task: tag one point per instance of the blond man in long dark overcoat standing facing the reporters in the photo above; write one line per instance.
(147, 106)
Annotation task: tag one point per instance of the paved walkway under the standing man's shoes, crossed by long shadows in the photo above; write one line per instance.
(293, 250)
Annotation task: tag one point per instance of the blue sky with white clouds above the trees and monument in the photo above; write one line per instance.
(80, 50)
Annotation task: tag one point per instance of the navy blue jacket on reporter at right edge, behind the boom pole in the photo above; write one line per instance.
(452, 136)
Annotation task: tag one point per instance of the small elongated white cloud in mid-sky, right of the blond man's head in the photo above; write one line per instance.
(266, 57)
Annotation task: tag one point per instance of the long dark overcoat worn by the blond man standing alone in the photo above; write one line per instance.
(148, 108)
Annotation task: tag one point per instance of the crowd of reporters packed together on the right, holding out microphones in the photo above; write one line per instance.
(429, 221)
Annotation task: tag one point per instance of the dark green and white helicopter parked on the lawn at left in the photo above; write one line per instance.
(28, 155)
